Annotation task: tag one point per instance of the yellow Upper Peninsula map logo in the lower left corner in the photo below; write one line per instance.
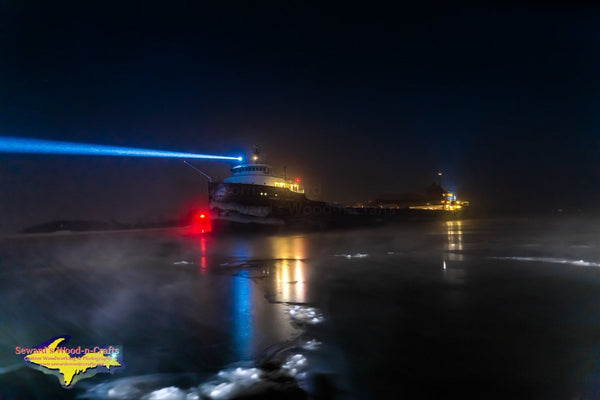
(51, 359)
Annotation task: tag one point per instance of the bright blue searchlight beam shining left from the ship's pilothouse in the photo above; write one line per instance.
(10, 144)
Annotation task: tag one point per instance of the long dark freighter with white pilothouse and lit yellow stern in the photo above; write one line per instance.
(255, 195)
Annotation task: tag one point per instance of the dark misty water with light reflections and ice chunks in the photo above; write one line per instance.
(471, 309)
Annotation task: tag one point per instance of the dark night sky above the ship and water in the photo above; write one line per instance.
(357, 100)
